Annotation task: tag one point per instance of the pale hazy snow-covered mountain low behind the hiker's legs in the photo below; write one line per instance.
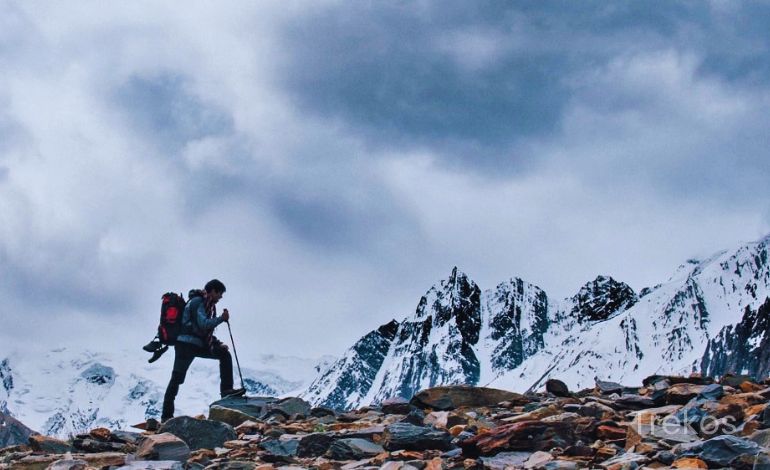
(64, 392)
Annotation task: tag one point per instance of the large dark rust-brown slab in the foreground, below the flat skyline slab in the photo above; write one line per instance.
(526, 435)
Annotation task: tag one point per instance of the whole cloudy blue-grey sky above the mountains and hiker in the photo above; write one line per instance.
(330, 161)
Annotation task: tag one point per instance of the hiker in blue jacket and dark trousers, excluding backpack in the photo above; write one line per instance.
(196, 339)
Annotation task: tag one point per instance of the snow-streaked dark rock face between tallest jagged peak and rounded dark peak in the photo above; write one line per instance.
(514, 302)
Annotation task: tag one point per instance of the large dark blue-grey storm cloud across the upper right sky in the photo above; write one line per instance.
(391, 72)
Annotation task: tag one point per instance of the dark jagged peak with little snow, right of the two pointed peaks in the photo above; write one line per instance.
(602, 298)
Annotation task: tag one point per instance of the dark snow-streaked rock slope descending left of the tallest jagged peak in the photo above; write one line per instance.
(355, 372)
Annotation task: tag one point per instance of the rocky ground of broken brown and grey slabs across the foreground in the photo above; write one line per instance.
(669, 422)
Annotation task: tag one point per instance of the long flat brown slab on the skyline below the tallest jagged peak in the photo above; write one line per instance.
(455, 396)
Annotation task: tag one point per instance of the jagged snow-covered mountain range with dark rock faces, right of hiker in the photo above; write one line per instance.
(515, 337)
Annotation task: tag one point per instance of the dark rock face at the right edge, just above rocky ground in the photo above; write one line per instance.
(743, 348)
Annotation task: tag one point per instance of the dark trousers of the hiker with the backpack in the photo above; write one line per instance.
(184, 353)
